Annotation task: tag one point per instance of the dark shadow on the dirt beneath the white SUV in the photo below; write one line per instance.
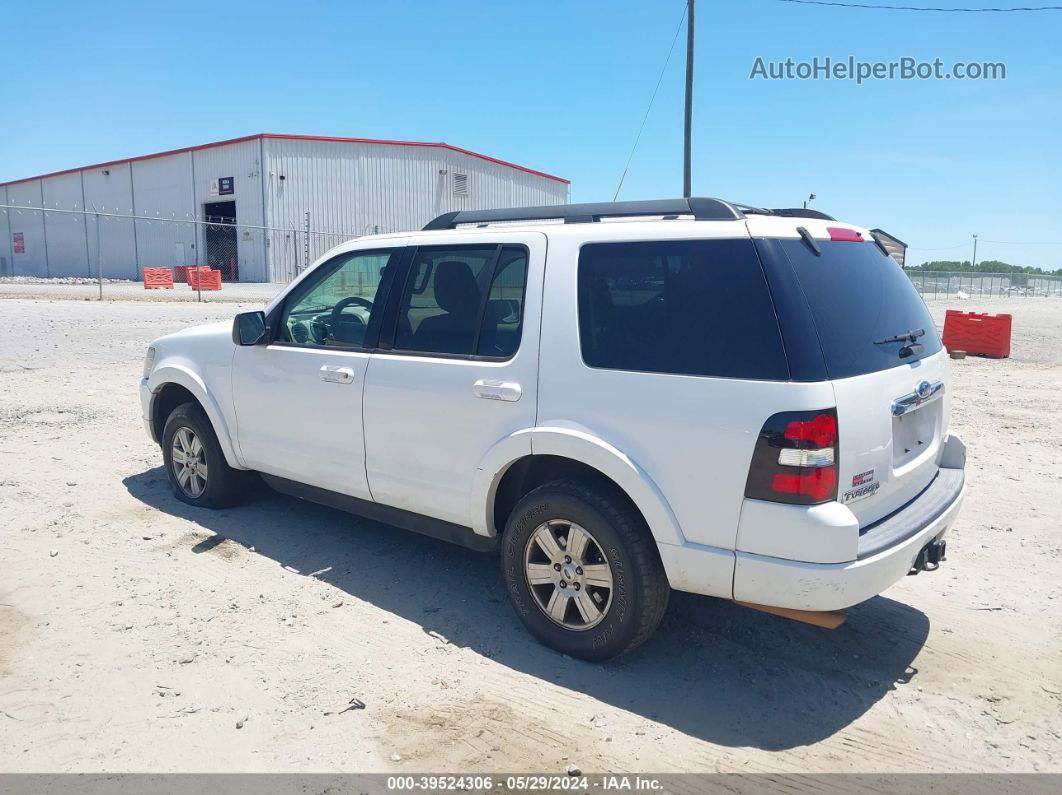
(714, 670)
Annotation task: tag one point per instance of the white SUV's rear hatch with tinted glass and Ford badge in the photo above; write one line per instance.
(868, 331)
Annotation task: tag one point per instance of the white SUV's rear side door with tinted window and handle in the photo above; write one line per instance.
(461, 373)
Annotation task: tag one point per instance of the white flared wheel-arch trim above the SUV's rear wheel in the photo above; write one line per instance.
(581, 446)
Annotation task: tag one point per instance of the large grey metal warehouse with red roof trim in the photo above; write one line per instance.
(259, 209)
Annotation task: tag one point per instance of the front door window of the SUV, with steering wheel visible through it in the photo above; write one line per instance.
(336, 308)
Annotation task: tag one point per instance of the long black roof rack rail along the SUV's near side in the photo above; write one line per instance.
(701, 210)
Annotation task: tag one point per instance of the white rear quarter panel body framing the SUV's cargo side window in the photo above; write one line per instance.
(693, 437)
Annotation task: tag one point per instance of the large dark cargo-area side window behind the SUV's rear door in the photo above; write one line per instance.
(693, 307)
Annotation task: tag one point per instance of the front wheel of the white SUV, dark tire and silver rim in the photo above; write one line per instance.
(222, 487)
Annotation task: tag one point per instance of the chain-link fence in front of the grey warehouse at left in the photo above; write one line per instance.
(115, 244)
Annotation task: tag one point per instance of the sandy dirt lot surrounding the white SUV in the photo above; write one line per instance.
(139, 634)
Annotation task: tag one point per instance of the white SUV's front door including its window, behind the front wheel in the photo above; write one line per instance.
(299, 399)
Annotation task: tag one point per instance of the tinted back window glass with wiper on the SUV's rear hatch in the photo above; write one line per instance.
(859, 297)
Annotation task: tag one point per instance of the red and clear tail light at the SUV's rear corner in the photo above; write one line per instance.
(795, 460)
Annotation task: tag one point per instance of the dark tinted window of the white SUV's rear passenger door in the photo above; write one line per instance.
(460, 300)
